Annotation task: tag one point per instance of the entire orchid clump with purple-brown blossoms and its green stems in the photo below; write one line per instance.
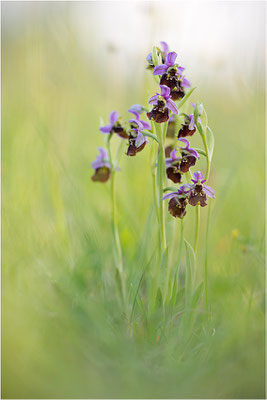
(172, 161)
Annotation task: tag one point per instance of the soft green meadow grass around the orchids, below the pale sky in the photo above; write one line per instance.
(64, 332)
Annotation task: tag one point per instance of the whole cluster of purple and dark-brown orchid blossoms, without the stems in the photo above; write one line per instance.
(179, 160)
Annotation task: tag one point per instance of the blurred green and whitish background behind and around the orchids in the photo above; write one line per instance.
(65, 65)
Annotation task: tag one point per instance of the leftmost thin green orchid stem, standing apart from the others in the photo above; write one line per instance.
(114, 223)
